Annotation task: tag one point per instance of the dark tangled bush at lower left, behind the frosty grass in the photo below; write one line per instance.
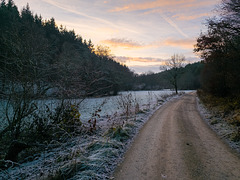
(43, 128)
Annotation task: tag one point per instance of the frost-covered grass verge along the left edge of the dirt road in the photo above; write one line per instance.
(84, 155)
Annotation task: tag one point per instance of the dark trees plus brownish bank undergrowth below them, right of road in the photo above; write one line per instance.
(219, 48)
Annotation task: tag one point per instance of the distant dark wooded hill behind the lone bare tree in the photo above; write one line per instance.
(187, 78)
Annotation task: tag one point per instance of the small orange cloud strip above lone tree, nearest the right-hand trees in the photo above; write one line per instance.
(181, 43)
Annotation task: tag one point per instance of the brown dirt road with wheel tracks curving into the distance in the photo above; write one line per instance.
(177, 144)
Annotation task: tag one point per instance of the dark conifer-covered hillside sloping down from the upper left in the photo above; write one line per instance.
(38, 58)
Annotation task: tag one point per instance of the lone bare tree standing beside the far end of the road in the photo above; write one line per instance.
(174, 69)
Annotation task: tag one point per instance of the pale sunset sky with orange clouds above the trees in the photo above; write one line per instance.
(141, 34)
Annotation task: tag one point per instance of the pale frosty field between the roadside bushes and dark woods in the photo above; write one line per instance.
(89, 105)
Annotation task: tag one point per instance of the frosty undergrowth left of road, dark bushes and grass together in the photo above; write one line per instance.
(67, 148)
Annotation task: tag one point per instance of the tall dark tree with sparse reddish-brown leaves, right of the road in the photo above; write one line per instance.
(219, 48)
